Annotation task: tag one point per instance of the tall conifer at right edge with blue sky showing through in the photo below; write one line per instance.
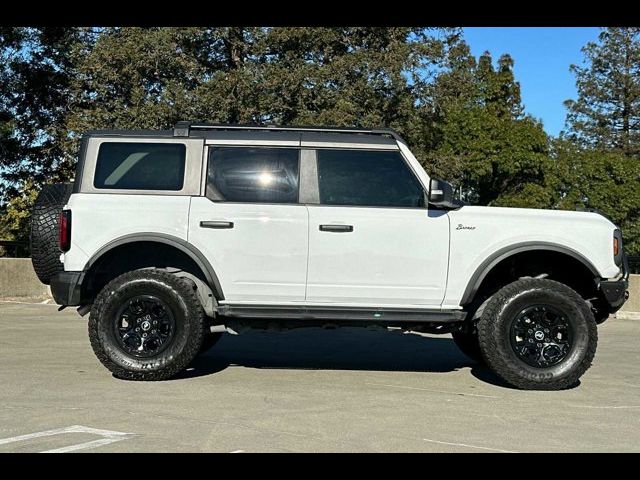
(606, 114)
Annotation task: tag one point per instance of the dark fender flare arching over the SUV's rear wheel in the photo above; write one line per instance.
(196, 255)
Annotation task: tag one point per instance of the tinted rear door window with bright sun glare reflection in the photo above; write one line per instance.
(253, 174)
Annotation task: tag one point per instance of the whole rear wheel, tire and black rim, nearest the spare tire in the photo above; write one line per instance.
(146, 325)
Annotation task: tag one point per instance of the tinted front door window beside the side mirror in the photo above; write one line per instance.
(367, 178)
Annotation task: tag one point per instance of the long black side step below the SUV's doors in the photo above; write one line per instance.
(340, 313)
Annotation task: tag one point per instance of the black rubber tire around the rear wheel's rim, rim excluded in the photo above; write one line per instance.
(181, 298)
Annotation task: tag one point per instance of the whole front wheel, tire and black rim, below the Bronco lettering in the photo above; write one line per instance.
(538, 334)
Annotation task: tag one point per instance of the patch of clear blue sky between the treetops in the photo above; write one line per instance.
(542, 56)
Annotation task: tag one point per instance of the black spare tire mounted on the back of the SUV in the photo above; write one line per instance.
(43, 241)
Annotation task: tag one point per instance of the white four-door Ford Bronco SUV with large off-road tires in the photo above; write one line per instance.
(169, 238)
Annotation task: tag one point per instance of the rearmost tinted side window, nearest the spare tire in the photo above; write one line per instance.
(140, 166)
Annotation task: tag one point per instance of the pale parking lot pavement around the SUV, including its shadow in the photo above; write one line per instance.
(308, 390)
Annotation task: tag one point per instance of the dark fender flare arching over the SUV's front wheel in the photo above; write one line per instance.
(487, 265)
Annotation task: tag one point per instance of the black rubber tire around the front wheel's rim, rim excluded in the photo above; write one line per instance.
(494, 334)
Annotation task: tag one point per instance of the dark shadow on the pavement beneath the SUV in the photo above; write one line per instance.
(342, 349)
